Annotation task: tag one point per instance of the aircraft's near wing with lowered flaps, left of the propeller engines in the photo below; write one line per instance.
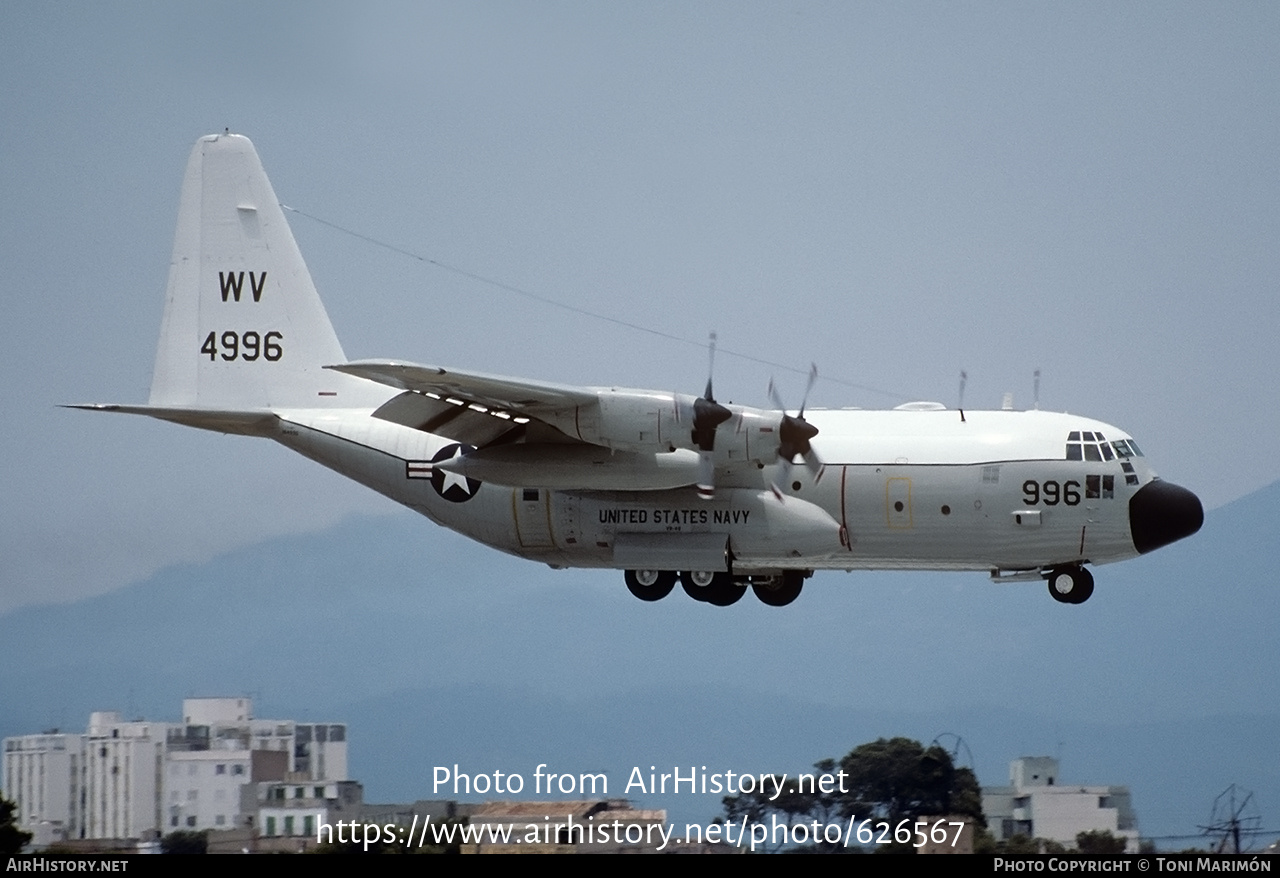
(472, 408)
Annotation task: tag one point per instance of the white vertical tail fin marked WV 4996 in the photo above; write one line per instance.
(244, 327)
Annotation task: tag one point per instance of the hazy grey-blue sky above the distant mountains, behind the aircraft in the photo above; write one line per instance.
(897, 193)
